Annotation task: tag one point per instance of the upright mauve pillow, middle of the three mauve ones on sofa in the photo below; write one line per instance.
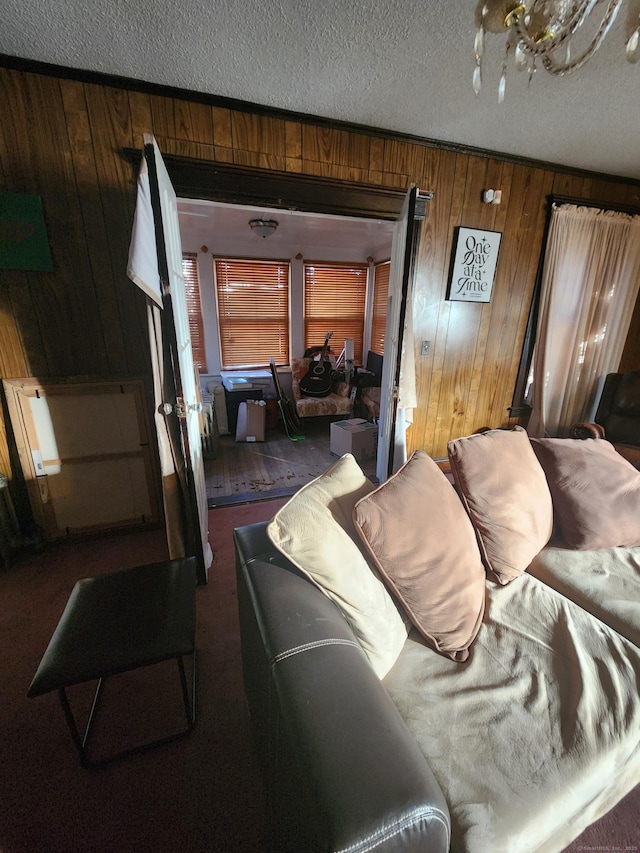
(504, 489)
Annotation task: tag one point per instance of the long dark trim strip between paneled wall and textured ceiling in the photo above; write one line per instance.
(100, 78)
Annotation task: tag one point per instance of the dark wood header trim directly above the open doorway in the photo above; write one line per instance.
(224, 182)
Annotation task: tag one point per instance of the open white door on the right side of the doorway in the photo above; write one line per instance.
(391, 433)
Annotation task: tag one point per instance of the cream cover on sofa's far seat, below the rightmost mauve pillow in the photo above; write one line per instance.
(606, 583)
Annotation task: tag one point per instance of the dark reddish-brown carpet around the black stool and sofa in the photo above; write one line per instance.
(202, 793)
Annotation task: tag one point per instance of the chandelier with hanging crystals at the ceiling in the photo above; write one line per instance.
(546, 32)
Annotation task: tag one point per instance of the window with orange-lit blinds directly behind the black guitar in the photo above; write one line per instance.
(334, 301)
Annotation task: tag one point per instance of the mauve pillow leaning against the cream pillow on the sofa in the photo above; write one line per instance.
(423, 544)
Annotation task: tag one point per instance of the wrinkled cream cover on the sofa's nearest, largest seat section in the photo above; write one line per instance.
(535, 736)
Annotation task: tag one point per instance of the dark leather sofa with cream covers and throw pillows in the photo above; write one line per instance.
(430, 667)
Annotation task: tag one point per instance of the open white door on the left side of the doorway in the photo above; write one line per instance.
(186, 407)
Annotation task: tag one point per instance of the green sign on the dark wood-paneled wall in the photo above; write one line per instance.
(23, 236)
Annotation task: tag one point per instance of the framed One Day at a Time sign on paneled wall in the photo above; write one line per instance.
(474, 265)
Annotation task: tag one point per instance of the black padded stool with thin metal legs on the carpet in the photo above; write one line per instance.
(117, 622)
